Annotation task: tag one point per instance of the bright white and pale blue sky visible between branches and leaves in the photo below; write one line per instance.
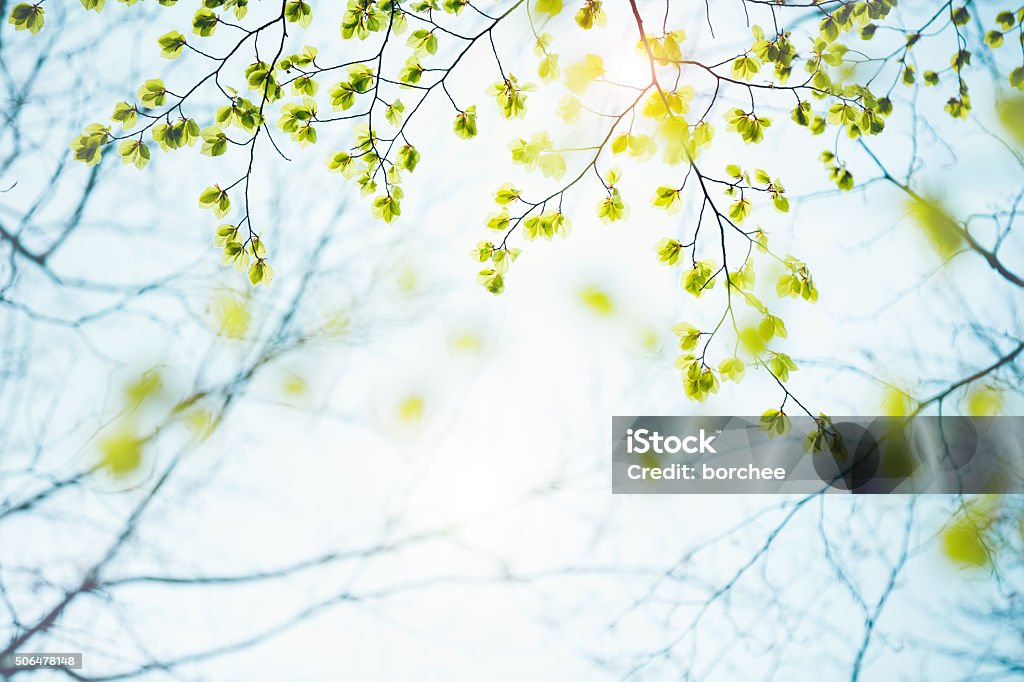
(514, 453)
